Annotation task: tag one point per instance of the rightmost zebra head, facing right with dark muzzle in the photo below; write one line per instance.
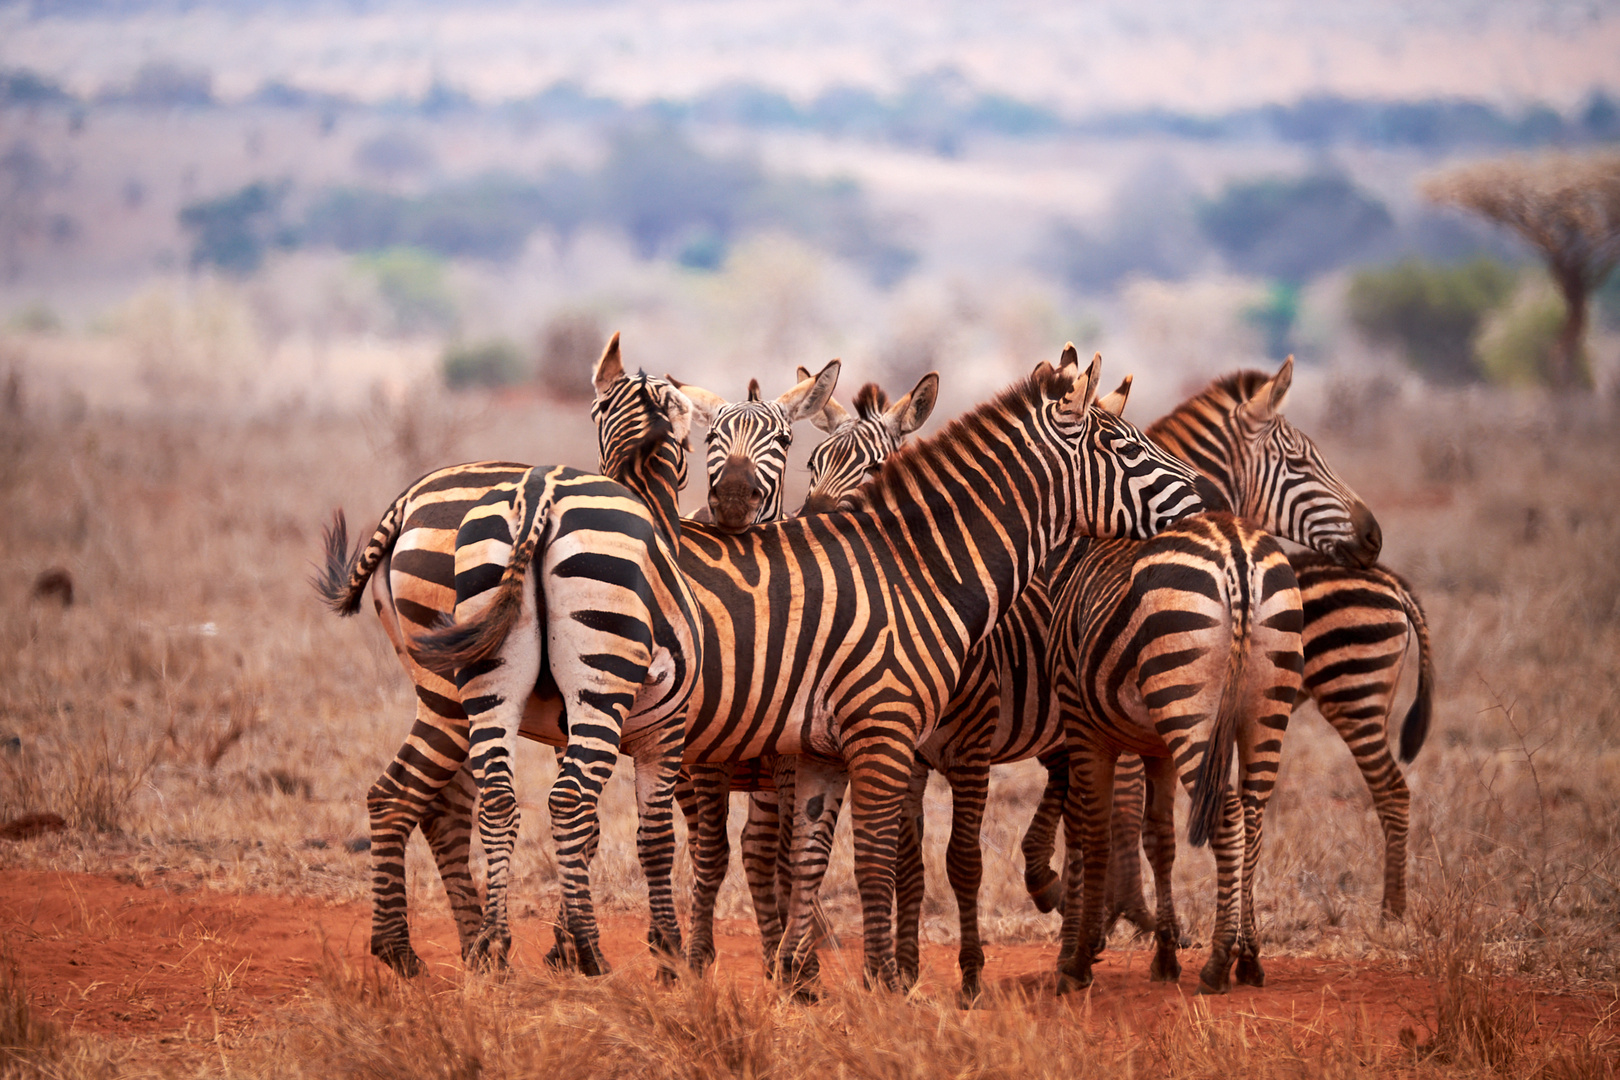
(1273, 474)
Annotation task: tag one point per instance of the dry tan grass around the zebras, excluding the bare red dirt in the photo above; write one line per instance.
(198, 712)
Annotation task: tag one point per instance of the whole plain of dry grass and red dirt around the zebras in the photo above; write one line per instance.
(207, 733)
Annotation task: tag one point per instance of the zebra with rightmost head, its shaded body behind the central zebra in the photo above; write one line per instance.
(1004, 708)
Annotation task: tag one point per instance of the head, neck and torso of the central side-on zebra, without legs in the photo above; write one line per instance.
(906, 580)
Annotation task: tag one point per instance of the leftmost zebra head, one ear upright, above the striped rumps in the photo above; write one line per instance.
(642, 428)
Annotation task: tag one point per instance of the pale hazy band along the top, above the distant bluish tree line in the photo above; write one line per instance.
(1075, 56)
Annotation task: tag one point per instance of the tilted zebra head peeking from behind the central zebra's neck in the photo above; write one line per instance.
(858, 444)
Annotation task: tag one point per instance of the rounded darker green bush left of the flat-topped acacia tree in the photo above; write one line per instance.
(1431, 313)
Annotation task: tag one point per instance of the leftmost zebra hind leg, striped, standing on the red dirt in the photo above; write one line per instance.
(432, 757)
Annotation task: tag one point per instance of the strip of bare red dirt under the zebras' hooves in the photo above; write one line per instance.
(119, 959)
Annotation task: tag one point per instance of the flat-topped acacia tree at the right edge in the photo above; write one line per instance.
(1569, 210)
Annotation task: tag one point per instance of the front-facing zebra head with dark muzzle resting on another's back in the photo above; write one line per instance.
(748, 446)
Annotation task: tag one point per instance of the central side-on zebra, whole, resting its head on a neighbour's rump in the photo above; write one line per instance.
(838, 637)
